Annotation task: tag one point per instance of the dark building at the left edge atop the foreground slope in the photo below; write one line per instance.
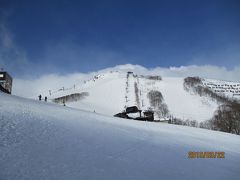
(5, 82)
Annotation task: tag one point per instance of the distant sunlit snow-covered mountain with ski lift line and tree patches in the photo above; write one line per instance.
(113, 90)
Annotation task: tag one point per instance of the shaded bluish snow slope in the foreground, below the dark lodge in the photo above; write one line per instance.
(41, 140)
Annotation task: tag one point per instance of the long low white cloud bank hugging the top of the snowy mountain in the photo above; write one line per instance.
(32, 88)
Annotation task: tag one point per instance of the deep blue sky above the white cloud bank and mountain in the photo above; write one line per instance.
(40, 37)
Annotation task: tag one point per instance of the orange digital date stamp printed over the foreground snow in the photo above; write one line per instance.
(209, 155)
